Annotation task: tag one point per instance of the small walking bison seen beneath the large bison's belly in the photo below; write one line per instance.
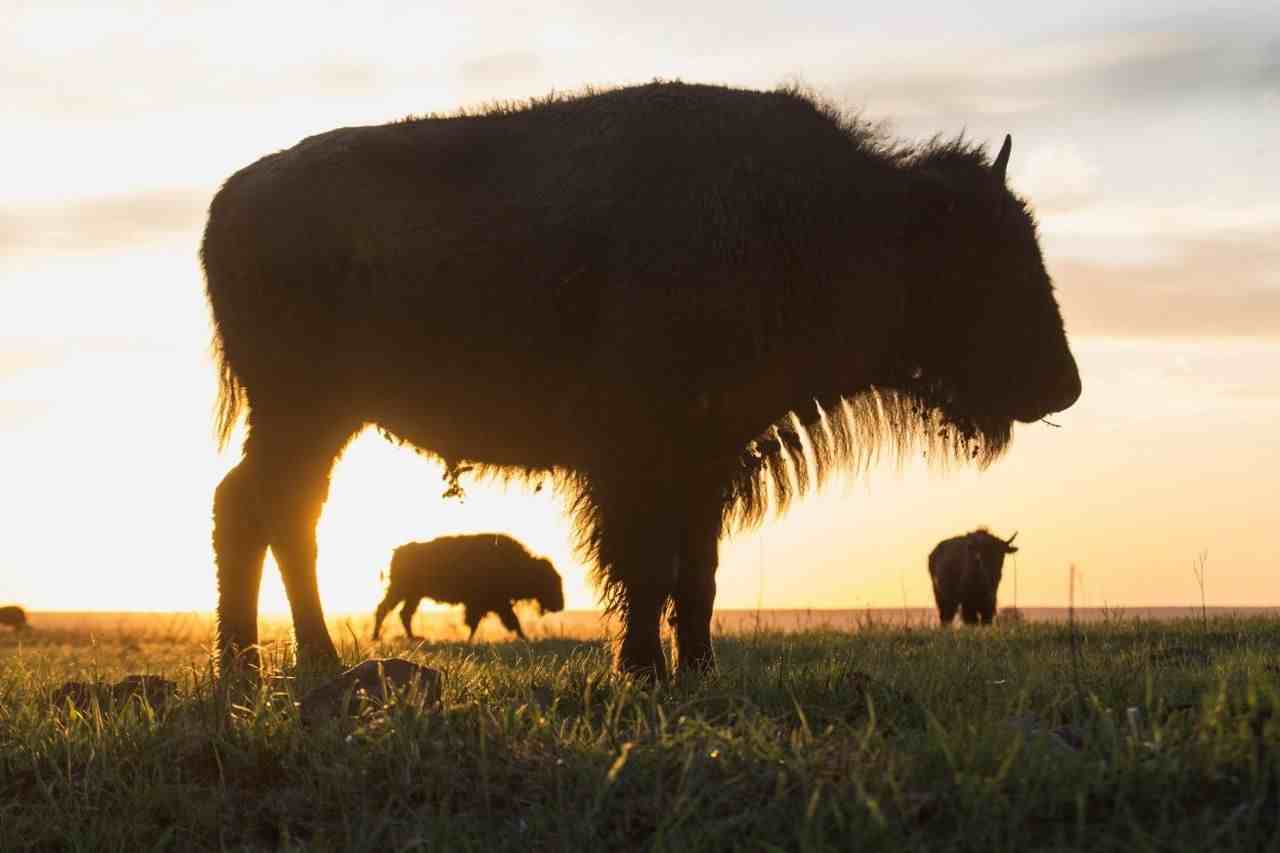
(484, 573)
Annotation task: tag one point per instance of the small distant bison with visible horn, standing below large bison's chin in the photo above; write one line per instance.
(966, 573)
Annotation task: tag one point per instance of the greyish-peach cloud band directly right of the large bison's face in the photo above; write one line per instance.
(1210, 289)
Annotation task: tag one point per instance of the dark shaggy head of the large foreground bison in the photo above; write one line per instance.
(986, 339)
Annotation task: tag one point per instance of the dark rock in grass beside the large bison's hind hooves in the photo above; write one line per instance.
(372, 683)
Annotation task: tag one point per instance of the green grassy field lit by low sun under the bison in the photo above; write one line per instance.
(1124, 736)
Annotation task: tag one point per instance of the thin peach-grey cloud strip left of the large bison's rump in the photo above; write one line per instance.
(102, 223)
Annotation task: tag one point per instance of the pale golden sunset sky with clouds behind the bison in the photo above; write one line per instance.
(1145, 138)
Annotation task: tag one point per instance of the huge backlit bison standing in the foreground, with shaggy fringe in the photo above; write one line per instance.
(682, 305)
